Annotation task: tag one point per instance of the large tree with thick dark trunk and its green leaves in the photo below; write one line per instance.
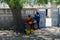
(16, 6)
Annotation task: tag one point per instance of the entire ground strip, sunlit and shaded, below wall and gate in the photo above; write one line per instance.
(52, 33)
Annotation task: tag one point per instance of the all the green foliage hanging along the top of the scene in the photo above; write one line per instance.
(19, 3)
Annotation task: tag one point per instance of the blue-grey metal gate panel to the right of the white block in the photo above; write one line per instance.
(54, 17)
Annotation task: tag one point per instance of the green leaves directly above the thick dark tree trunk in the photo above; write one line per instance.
(15, 3)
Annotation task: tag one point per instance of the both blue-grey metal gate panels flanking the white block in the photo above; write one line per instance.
(54, 17)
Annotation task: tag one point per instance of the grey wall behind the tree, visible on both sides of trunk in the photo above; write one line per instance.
(6, 17)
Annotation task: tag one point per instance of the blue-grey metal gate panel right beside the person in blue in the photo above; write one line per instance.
(42, 22)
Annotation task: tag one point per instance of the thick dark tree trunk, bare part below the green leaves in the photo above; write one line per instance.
(17, 19)
